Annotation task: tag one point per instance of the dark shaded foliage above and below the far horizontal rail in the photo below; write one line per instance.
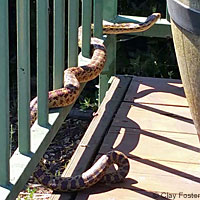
(141, 56)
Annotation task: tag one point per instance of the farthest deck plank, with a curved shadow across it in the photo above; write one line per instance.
(156, 91)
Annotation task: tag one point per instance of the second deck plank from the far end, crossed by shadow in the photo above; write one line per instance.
(154, 117)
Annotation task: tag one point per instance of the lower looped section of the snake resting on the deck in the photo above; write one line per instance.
(90, 177)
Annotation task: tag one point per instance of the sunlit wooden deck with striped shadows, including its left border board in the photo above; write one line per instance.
(149, 120)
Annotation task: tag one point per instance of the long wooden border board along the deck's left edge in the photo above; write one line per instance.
(91, 141)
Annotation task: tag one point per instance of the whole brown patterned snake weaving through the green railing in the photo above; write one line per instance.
(67, 95)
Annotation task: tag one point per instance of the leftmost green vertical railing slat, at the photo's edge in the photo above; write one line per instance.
(4, 100)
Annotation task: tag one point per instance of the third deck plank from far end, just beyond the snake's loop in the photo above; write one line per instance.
(173, 147)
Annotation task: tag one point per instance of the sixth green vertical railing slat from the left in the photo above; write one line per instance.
(86, 24)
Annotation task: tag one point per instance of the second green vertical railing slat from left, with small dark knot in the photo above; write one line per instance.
(23, 65)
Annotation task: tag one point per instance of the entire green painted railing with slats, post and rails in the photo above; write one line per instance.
(15, 171)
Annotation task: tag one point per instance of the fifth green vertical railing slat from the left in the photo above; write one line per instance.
(73, 22)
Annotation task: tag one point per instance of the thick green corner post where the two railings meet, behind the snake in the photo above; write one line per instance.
(109, 13)
